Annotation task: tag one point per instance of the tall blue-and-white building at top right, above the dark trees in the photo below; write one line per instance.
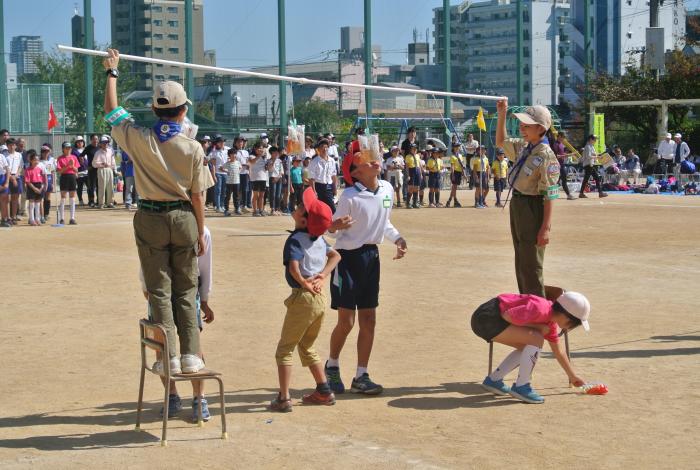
(618, 37)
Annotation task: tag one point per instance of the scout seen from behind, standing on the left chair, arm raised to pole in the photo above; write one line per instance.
(169, 225)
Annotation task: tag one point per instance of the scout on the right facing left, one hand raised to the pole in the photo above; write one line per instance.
(533, 179)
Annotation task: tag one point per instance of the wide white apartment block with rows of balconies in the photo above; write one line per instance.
(484, 47)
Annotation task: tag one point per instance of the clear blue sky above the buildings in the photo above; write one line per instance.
(244, 32)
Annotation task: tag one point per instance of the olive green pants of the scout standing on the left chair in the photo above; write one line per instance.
(167, 246)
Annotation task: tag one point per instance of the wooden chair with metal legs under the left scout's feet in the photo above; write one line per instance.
(146, 326)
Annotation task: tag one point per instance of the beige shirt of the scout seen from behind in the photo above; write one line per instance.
(168, 171)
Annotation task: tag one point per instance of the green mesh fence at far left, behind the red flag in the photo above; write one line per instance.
(28, 107)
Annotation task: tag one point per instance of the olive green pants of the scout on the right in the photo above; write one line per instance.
(526, 215)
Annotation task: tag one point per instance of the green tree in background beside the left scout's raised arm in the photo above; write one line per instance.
(59, 68)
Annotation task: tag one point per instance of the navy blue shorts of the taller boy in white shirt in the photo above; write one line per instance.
(355, 281)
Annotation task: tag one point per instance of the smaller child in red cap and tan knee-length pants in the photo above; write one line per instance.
(308, 260)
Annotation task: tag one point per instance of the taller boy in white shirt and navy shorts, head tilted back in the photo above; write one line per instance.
(355, 281)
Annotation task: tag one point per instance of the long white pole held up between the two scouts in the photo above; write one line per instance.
(269, 76)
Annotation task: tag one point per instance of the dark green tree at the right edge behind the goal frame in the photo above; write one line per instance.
(679, 81)
